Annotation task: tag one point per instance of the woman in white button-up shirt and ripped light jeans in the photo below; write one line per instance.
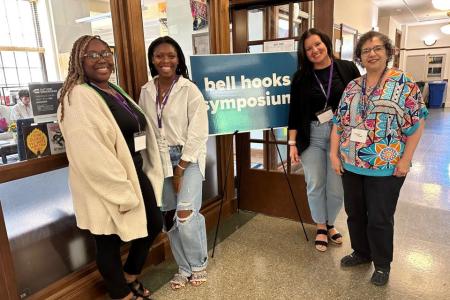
(178, 114)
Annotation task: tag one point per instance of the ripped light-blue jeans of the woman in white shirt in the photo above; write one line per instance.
(187, 236)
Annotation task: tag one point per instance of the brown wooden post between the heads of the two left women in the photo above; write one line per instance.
(129, 45)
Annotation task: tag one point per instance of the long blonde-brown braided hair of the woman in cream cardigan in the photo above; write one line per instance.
(76, 72)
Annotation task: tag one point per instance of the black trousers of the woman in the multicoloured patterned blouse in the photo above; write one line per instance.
(370, 204)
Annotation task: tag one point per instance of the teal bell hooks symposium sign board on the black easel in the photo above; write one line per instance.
(245, 92)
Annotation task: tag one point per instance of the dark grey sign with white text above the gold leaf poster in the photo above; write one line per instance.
(44, 100)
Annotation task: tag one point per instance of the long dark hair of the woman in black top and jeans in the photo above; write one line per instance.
(304, 66)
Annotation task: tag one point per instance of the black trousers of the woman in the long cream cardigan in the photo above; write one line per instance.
(108, 247)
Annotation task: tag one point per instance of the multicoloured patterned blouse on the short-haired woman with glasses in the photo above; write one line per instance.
(392, 113)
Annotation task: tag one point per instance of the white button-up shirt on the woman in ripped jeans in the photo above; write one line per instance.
(184, 118)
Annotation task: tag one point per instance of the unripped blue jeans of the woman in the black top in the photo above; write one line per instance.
(323, 185)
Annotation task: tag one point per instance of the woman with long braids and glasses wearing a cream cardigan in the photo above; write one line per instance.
(114, 175)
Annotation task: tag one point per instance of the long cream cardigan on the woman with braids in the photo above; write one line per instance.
(105, 189)
